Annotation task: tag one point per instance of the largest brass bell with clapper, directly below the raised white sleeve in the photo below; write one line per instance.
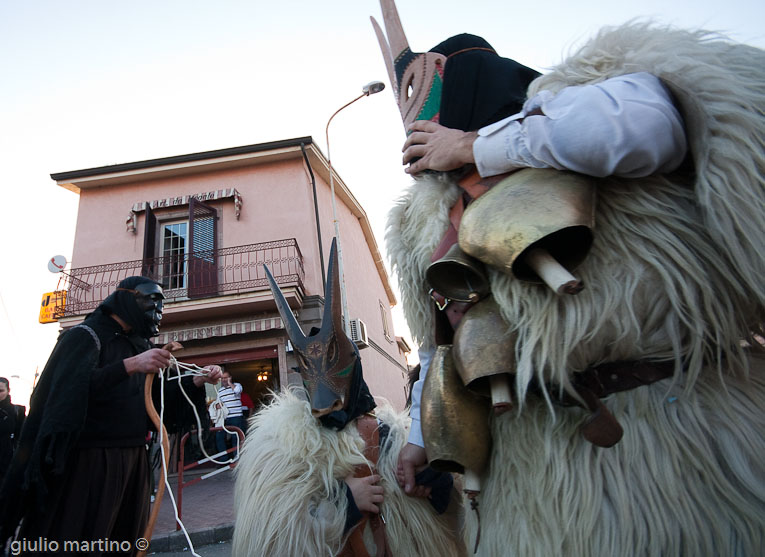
(536, 224)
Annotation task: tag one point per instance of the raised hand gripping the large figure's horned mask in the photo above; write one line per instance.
(438, 147)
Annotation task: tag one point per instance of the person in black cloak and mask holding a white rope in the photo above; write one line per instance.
(80, 472)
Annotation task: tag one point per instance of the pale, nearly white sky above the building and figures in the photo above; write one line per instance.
(92, 83)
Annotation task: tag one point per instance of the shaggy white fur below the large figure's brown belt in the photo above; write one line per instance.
(686, 479)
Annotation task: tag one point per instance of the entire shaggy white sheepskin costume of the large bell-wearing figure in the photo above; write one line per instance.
(676, 272)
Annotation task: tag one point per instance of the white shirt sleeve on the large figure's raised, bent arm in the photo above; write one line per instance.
(625, 126)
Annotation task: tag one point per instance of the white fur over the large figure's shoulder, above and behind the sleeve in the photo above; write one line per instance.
(719, 86)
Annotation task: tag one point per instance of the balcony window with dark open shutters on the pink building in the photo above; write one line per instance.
(180, 251)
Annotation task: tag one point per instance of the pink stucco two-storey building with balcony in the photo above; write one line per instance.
(204, 224)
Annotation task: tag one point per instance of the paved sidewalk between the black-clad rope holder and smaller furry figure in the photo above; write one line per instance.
(207, 513)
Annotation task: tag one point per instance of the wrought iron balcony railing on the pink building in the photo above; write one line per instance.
(202, 274)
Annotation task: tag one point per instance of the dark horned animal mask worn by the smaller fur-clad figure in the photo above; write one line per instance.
(327, 358)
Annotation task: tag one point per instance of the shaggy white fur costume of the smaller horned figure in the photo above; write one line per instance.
(288, 499)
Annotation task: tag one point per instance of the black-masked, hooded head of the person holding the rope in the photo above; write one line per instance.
(139, 302)
